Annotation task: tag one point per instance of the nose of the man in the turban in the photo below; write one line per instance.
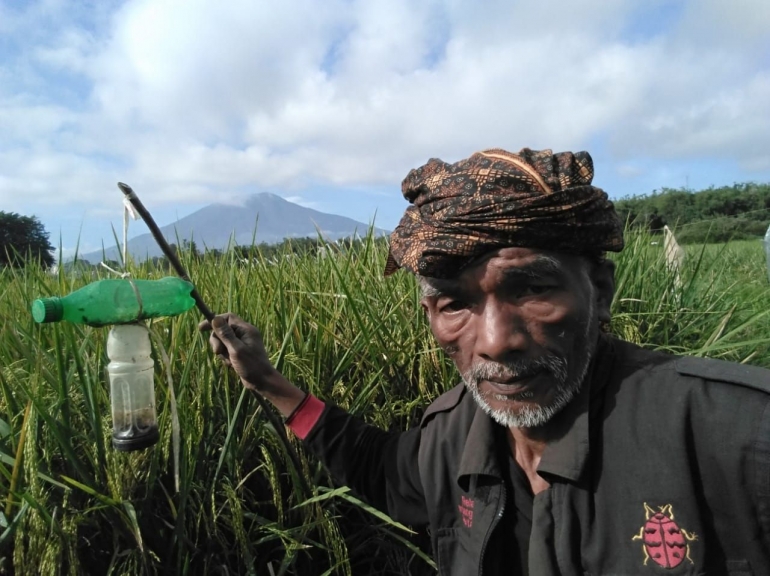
(501, 330)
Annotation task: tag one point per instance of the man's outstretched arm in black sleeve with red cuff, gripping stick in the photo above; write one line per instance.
(380, 466)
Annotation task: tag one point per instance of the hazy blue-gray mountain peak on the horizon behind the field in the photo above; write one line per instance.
(223, 225)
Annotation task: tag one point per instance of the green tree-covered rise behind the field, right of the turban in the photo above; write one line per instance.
(737, 212)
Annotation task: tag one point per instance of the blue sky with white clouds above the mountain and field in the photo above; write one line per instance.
(330, 103)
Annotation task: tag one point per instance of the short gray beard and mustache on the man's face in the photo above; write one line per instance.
(532, 416)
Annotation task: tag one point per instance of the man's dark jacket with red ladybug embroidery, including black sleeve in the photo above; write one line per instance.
(661, 463)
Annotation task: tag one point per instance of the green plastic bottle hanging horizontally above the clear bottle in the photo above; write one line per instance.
(114, 301)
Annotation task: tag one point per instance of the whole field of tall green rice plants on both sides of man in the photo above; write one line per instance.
(73, 505)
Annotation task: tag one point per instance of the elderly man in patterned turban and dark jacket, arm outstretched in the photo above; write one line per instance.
(564, 451)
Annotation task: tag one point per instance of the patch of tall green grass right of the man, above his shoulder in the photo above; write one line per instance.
(716, 305)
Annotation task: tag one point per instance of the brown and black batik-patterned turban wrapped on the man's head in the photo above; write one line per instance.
(495, 199)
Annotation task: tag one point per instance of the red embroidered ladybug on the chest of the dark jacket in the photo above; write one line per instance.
(663, 540)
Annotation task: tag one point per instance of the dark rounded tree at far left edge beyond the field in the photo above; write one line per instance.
(23, 239)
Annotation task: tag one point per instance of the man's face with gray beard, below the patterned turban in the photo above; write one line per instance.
(521, 326)
